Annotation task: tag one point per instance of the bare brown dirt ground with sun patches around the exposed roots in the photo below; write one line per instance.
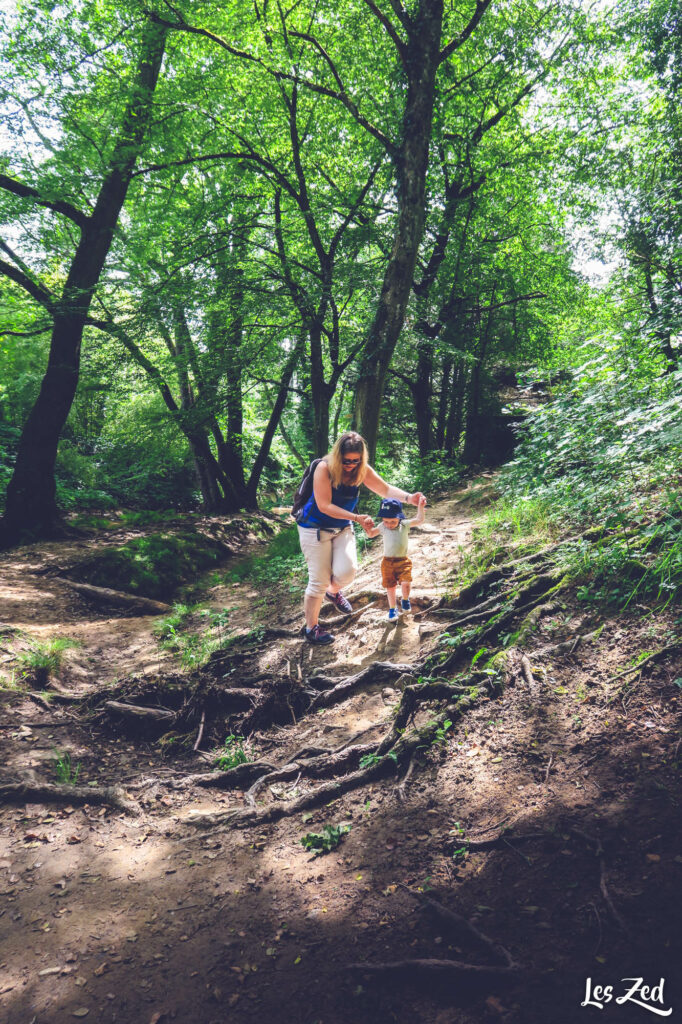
(112, 918)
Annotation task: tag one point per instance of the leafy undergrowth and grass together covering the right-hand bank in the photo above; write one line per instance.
(603, 455)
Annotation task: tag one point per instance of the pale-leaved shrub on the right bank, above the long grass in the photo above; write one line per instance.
(609, 437)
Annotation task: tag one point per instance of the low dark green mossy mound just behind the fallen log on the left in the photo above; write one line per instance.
(154, 566)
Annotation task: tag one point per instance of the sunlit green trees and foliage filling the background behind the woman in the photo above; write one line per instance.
(232, 231)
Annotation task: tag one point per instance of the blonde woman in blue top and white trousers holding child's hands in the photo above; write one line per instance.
(328, 540)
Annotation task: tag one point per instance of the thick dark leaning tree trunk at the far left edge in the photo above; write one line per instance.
(31, 505)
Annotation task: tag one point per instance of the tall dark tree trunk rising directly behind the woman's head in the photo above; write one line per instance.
(411, 166)
